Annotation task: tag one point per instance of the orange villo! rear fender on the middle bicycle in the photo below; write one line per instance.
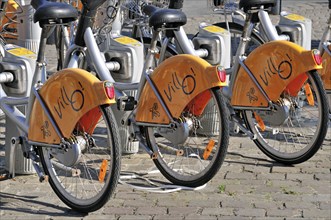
(179, 80)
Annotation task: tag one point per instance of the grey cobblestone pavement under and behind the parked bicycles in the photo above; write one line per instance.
(249, 185)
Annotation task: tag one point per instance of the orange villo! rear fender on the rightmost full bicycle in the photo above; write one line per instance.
(277, 66)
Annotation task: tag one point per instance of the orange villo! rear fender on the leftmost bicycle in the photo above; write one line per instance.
(71, 97)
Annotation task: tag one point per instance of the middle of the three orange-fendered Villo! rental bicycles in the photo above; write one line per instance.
(170, 120)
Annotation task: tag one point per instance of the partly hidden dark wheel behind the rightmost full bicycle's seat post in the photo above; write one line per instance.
(236, 33)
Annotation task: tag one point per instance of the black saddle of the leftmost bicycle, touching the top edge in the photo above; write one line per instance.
(53, 12)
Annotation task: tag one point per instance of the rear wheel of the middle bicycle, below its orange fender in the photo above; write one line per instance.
(185, 163)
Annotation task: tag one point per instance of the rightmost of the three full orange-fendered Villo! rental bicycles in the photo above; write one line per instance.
(287, 122)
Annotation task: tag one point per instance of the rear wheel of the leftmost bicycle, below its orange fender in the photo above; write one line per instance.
(78, 185)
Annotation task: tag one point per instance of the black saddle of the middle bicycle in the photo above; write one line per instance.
(169, 18)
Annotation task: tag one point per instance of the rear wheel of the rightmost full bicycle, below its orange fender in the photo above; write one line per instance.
(296, 144)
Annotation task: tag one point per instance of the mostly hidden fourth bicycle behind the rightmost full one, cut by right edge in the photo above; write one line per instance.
(265, 32)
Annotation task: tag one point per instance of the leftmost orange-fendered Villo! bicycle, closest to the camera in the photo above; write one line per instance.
(68, 131)
